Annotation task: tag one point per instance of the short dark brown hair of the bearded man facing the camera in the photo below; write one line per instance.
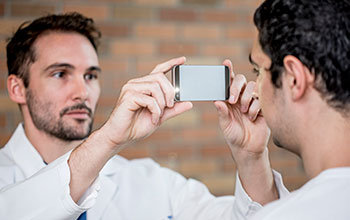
(20, 51)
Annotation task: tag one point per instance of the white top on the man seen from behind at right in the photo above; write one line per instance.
(324, 197)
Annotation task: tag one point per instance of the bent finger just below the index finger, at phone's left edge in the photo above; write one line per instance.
(165, 85)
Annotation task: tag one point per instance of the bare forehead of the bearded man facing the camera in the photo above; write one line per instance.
(65, 47)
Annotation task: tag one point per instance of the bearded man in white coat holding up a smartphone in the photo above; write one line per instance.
(48, 170)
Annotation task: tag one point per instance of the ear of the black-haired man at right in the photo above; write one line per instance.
(298, 77)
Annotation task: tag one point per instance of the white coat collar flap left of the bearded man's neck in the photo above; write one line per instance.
(24, 153)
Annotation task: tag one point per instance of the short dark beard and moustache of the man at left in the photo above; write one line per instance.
(42, 114)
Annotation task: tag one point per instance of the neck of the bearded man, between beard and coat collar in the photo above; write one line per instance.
(49, 147)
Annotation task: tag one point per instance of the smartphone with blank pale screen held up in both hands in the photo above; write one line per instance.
(201, 82)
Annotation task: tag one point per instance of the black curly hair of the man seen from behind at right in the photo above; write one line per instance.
(317, 32)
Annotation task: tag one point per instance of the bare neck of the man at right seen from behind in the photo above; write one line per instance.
(326, 142)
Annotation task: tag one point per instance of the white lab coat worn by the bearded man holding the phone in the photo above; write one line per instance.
(135, 189)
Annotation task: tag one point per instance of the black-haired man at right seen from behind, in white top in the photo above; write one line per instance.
(302, 58)
